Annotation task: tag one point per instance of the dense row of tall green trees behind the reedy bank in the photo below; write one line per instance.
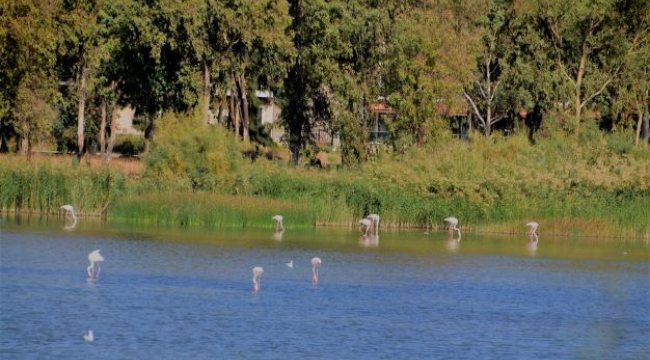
(551, 65)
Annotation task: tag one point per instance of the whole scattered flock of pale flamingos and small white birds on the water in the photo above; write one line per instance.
(368, 226)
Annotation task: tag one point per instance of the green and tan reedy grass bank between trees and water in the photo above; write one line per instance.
(571, 187)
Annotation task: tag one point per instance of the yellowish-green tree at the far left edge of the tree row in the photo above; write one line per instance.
(26, 70)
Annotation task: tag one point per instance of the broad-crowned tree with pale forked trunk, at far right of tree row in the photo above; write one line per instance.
(586, 42)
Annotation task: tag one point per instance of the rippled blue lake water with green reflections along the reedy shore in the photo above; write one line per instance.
(187, 294)
